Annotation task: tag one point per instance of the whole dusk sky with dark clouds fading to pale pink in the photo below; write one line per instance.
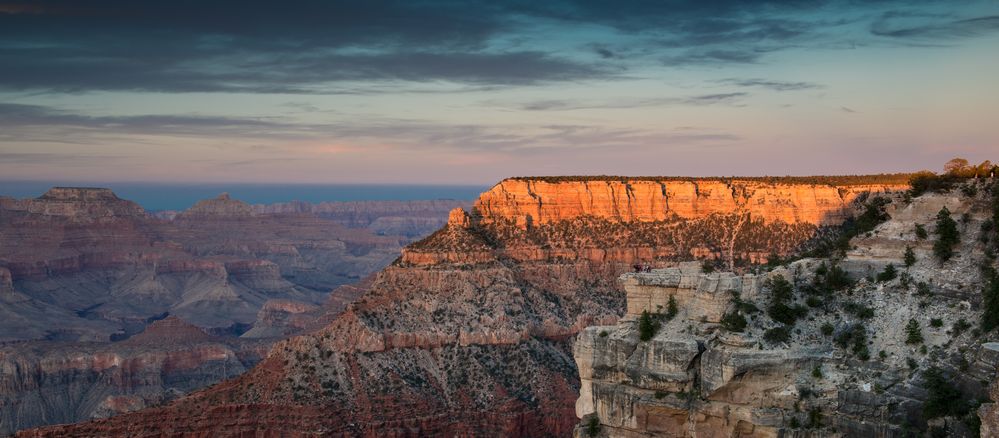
(468, 92)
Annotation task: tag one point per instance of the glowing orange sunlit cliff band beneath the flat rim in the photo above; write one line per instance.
(525, 201)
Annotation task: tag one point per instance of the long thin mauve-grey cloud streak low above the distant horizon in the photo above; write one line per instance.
(27, 123)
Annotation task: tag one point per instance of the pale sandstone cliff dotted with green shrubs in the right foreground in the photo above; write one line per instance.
(847, 367)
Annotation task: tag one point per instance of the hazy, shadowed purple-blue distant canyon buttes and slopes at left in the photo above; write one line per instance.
(81, 270)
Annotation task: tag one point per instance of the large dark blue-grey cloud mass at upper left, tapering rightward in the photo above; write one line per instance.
(261, 47)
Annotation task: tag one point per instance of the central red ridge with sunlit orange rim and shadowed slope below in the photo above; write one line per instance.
(470, 331)
